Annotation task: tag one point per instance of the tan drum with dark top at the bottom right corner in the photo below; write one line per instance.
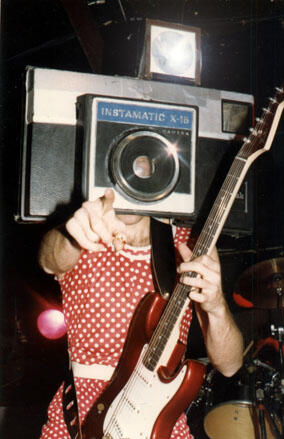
(236, 416)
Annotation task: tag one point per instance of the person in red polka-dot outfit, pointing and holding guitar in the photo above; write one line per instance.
(102, 262)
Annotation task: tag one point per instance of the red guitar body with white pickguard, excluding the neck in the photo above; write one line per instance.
(150, 408)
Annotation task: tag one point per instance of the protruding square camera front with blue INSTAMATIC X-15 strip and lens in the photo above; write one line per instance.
(145, 151)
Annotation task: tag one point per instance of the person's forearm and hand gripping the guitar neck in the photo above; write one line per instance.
(223, 339)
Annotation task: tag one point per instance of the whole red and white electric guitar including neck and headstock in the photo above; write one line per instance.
(151, 385)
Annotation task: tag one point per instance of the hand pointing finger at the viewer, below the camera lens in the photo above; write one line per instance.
(96, 222)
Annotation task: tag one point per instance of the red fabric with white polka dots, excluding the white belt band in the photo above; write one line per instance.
(99, 297)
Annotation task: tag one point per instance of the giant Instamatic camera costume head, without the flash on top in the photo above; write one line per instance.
(164, 148)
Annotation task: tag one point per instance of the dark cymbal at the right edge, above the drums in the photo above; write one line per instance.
(263, 284)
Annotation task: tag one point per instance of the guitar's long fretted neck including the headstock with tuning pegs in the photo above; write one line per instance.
(258, 142)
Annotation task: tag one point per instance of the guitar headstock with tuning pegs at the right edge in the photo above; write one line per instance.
(262, 135)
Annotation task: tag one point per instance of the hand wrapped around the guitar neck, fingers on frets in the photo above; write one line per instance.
(207, 286)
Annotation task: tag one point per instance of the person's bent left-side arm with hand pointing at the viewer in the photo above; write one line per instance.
(94, 222)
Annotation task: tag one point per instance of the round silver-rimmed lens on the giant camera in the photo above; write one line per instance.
(144, 165)
